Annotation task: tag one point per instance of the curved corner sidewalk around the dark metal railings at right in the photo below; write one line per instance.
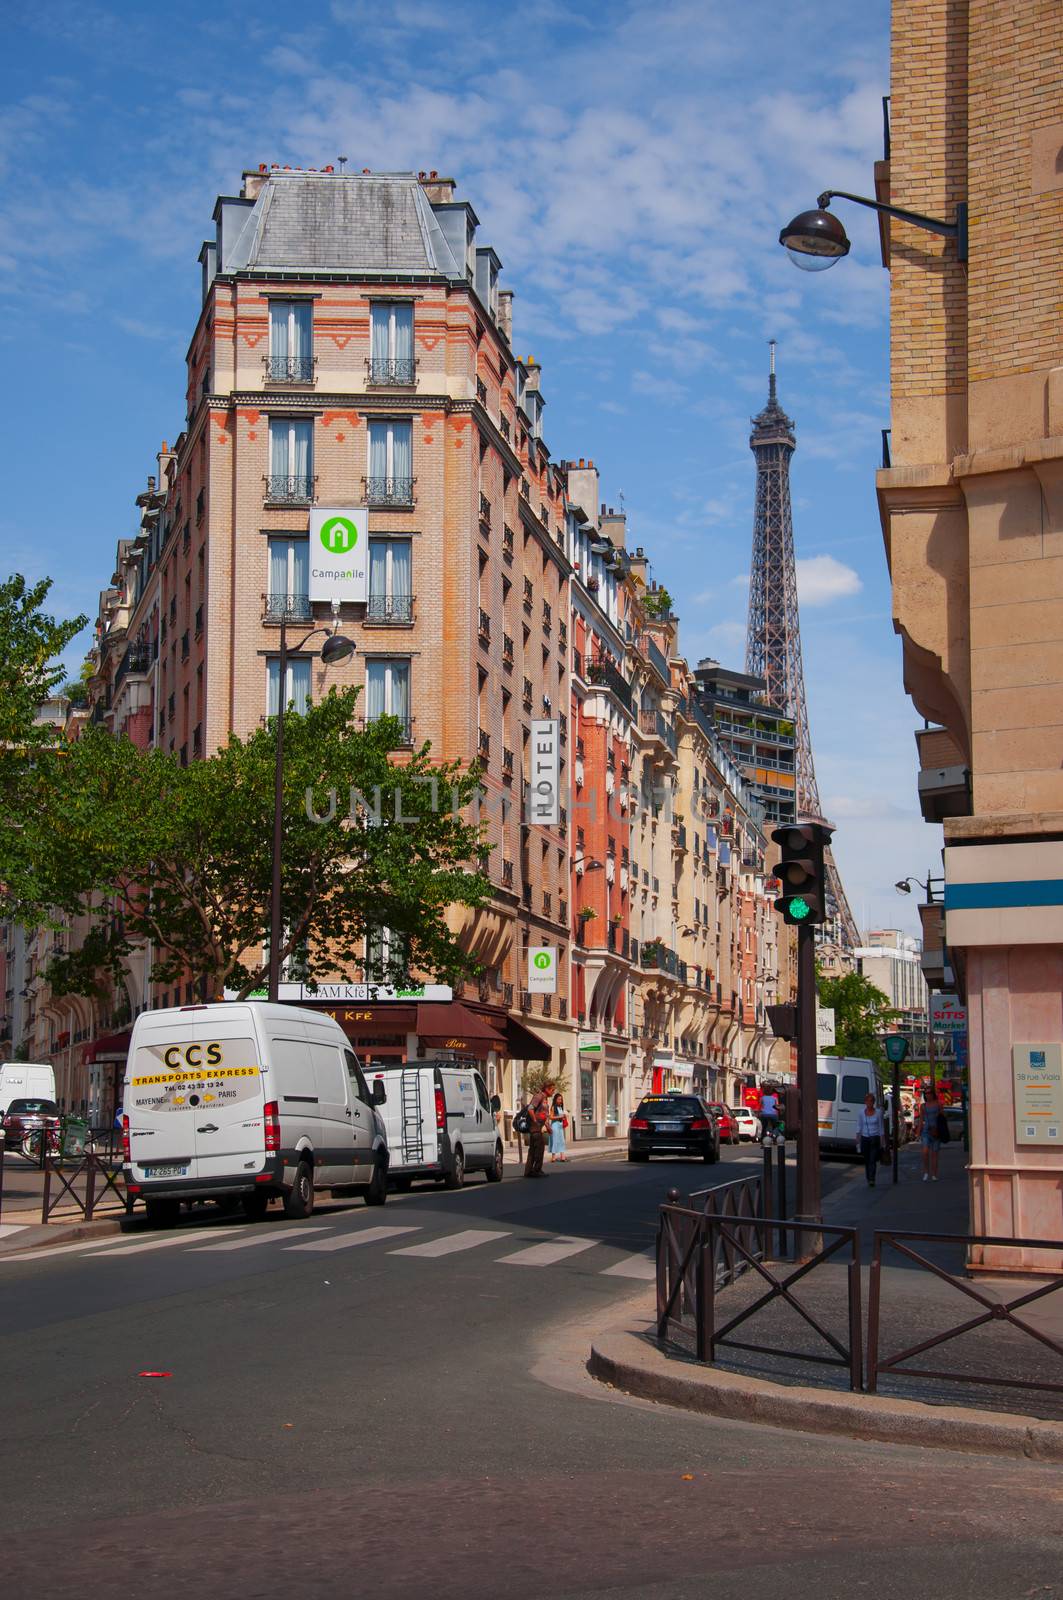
(917, 1306)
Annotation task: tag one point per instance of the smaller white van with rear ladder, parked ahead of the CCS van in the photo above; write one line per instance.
(441, 1122)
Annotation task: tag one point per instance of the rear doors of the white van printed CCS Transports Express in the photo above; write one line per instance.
(195, 1100)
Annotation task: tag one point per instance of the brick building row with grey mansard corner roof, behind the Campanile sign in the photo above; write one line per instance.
(355, 350)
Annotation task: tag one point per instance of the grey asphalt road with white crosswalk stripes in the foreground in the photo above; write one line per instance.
(351, 1414)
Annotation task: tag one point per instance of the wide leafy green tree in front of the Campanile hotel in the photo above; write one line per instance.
(182, 855)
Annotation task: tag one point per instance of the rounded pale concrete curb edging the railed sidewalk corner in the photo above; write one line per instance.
(632, 1362)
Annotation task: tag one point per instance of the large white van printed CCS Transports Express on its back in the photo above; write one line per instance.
(244, 1103)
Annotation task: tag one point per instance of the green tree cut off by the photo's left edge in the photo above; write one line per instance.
(31, 642)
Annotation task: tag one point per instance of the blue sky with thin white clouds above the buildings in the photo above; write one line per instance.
(630, 162)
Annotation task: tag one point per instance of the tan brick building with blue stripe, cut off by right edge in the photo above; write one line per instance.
(973, 510)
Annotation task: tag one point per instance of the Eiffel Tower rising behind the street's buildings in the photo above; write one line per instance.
(774, 628)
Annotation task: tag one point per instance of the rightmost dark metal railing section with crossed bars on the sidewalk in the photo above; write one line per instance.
(992, 1310)
